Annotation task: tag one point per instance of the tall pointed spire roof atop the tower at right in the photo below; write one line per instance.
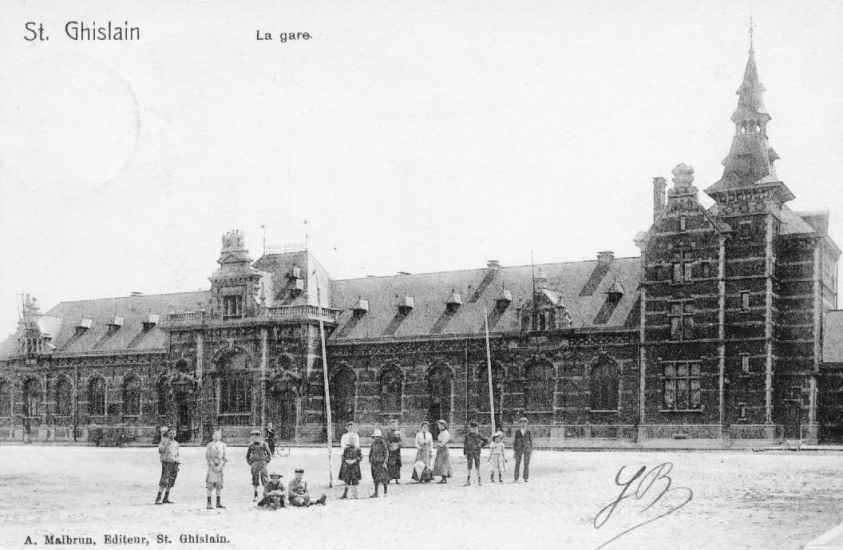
(750, 162)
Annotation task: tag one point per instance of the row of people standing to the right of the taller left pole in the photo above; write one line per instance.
(432, 458)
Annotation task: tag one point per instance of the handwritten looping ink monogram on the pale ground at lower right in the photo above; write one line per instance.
(656, 481)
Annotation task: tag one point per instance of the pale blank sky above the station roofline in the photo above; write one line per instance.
(415, 136)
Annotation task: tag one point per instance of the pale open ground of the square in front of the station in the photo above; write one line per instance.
(740, 500)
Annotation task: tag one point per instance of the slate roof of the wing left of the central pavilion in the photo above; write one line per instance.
(130, 336)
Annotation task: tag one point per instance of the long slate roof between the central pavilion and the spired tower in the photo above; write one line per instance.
(431, 291)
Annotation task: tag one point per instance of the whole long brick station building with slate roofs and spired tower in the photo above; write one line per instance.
(713, 336)
